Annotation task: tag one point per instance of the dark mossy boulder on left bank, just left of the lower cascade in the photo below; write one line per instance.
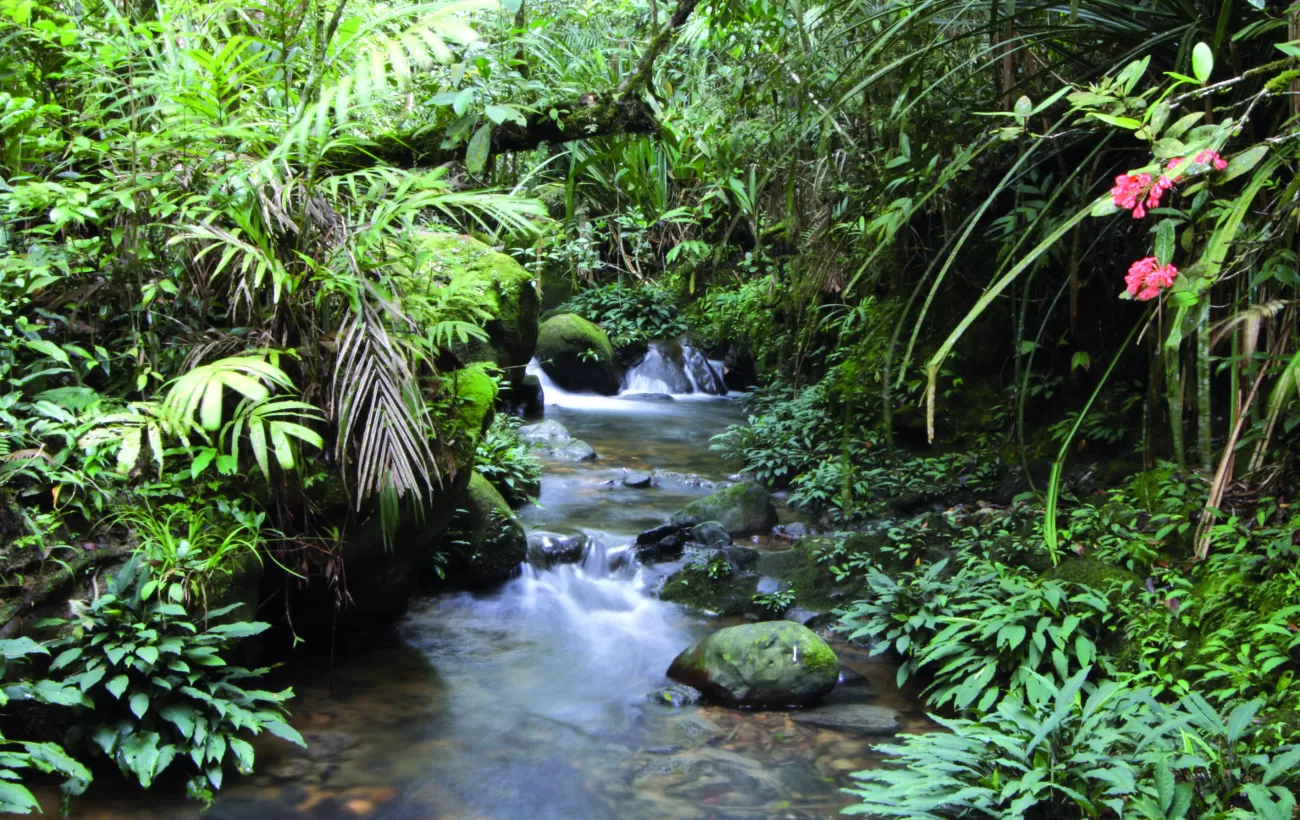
(488, 543)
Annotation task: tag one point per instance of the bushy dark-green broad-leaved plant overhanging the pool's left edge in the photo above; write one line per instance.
(161, 687)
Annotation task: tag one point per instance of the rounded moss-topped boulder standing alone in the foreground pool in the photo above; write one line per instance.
(774, 665)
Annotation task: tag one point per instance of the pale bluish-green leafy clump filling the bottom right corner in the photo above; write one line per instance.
(1086, 752)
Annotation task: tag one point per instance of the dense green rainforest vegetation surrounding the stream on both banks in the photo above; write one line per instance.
(1011, 287)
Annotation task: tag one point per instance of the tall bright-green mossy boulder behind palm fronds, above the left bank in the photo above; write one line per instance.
(495, 281)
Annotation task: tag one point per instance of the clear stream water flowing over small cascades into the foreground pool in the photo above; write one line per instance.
(531, 701)
